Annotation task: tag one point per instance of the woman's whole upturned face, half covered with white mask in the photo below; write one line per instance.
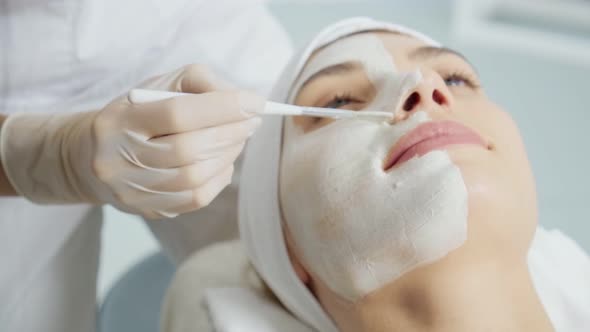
(357, 218)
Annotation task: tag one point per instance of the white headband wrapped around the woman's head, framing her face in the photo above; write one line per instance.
(259, 209)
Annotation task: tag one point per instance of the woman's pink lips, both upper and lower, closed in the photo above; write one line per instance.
(428, 137)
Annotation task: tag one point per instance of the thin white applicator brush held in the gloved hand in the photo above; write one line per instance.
(138, 96)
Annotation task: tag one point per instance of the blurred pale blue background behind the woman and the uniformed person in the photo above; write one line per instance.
(533, 60)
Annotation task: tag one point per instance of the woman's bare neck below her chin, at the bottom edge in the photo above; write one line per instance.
(453, 295)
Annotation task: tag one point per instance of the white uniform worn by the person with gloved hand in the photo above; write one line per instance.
(72, 55)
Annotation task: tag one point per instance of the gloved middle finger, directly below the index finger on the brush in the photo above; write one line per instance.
(186, 148)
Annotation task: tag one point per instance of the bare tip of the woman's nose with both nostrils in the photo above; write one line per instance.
(431, 94)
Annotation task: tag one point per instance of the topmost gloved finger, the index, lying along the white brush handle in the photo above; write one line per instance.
(192, 112)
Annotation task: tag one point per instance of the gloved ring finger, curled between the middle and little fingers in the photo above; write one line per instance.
(196, 175)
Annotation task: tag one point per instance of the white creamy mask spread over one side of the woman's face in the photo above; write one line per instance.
(356, 226)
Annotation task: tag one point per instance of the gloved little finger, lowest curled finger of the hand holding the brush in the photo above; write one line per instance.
(199, 197)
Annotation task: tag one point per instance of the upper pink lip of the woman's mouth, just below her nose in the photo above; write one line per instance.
(429, 131)
